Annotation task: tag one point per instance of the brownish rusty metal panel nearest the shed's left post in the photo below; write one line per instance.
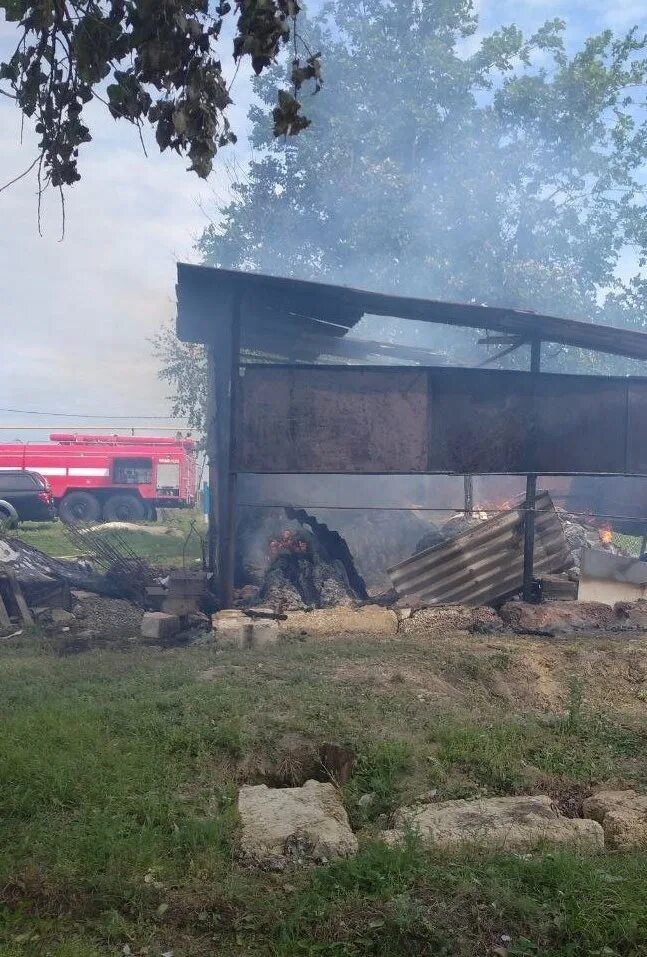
(332, 420)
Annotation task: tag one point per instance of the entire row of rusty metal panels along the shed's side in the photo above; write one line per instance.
(438, 420)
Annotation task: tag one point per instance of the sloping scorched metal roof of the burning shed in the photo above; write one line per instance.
(277, 308)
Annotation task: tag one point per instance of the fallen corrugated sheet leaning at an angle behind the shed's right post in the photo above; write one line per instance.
(485, 563)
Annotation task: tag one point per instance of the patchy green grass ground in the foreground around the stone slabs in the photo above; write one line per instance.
(120, 770)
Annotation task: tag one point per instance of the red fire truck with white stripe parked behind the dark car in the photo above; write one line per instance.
(110, 477)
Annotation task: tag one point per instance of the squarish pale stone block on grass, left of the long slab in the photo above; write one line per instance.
(297, 825)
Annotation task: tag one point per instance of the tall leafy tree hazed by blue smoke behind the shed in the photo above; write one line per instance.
(506, 171)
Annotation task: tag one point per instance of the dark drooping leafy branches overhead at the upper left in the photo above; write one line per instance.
(150, 61)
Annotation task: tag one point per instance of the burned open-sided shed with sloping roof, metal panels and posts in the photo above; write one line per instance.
(284, 398)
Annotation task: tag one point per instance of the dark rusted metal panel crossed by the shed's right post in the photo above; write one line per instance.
(482, 418)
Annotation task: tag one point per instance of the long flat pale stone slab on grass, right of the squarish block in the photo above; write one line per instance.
(505, 823)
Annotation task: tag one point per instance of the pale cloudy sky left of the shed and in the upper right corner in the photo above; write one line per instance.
(76, 315)
